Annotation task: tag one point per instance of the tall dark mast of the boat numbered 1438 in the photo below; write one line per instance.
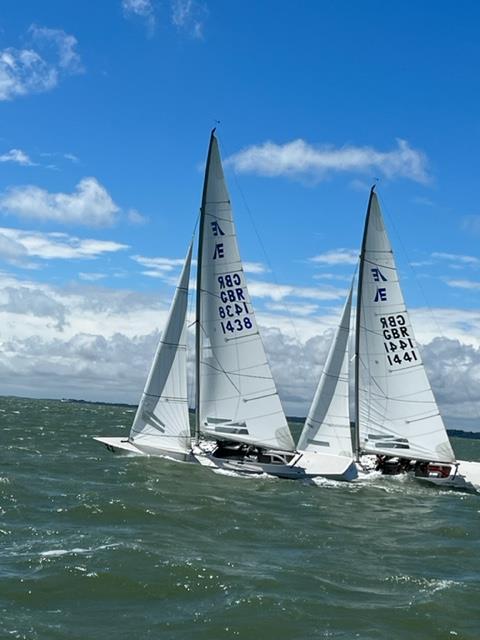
(198, 334)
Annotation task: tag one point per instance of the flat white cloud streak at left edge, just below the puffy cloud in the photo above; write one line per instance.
(17, 245)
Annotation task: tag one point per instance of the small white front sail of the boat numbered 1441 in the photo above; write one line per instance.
(327, 427)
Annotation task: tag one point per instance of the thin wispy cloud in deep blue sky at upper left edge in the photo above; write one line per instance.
(25, 71)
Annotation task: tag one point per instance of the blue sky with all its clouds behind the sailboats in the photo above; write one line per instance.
(106, 110)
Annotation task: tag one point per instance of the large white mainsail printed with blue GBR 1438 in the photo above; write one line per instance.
(238, 399)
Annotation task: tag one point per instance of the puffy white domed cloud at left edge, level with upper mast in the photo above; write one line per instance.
(89, 204)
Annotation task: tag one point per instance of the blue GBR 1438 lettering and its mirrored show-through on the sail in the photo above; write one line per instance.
(233, 312)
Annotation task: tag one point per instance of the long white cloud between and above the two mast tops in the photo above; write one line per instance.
(301, 159)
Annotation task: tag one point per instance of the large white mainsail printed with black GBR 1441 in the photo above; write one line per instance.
(396, 410)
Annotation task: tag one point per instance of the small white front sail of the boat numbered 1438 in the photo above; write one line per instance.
(161, 421)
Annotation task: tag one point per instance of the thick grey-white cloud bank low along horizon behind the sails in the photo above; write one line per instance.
(100, 342)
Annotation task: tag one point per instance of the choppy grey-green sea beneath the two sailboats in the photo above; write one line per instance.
(99, 546)
